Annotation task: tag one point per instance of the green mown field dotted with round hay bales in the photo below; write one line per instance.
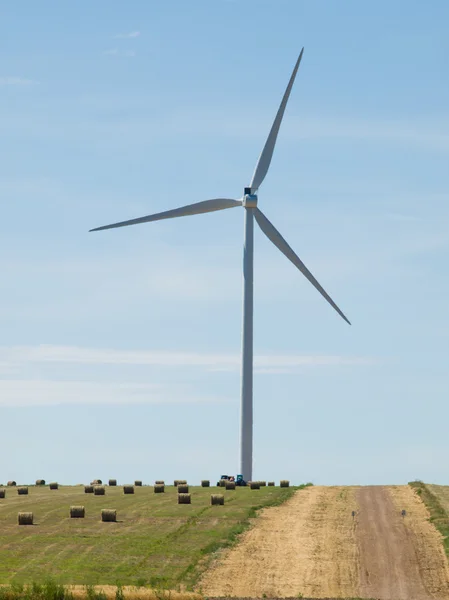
(155, 541)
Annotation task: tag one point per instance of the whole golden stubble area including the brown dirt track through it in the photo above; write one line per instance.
(313, 546)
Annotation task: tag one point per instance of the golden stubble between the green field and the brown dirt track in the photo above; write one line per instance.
(306, 546)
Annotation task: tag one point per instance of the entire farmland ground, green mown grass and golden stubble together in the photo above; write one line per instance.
(384, 542)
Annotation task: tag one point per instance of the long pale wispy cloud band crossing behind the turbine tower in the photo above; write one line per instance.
(61, 375)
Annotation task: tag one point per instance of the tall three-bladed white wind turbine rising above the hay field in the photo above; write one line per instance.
(249, 203)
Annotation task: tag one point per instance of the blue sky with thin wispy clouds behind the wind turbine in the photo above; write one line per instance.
(119, 350)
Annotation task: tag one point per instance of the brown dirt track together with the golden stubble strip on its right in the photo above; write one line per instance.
(399, 557)
